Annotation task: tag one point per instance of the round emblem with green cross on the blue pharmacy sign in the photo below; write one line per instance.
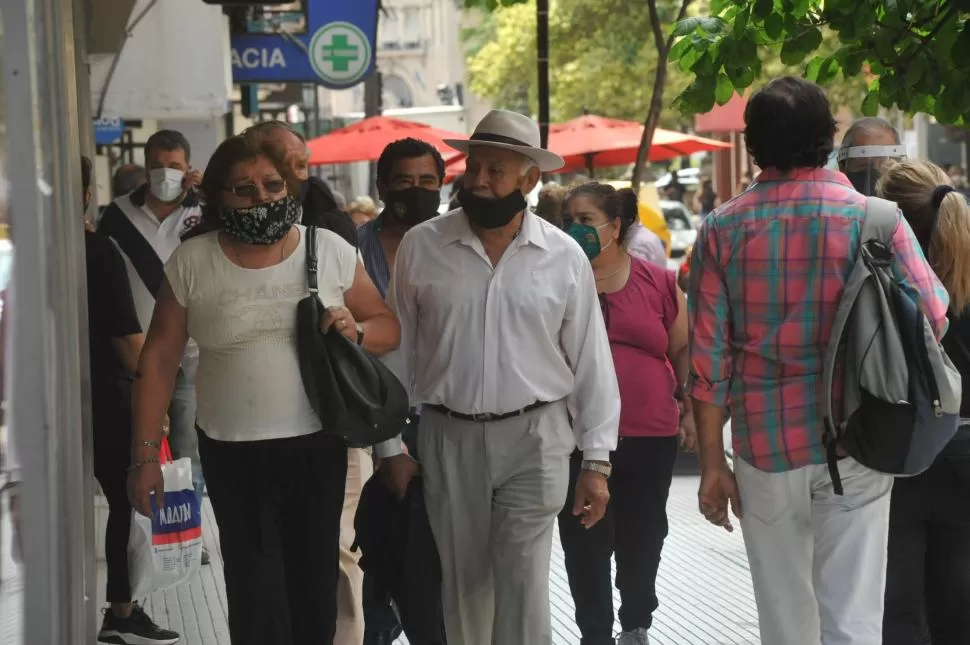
(340, 53)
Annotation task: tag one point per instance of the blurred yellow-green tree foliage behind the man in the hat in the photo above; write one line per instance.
(601, 58)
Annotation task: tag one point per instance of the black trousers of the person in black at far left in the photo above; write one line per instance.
(112, 451)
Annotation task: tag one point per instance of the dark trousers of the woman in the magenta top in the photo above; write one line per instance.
(634, 529)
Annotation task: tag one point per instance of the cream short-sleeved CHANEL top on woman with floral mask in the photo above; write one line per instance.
(248, 384)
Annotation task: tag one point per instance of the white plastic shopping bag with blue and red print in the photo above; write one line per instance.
(166, 550)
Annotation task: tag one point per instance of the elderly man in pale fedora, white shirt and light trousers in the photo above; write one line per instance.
(504, 347)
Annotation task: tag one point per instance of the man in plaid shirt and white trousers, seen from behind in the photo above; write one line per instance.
(767, 272)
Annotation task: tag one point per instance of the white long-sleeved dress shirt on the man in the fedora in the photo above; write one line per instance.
(477, 339)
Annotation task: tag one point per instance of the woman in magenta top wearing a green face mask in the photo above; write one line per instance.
(646, 320)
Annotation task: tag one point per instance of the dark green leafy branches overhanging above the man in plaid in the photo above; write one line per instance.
(912, 47)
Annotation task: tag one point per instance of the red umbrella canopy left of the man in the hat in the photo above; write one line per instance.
(366, 140)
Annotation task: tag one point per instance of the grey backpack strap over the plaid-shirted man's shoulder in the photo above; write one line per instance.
(879, 225)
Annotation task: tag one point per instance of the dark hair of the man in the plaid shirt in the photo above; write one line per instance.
(789, 124)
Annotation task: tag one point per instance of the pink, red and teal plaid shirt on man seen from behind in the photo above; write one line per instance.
(770, 267)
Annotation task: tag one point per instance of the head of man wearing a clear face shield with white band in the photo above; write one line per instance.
(869, 145)
